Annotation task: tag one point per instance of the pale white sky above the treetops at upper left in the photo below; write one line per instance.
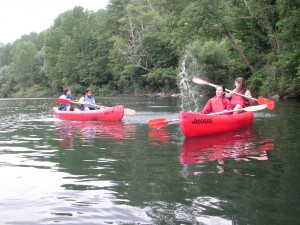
(18, 17)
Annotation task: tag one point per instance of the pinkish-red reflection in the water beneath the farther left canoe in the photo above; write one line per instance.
(88, 131)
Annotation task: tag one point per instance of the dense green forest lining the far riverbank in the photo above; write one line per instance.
(138, 46)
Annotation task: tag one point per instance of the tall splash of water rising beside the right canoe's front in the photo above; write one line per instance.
(189, 93)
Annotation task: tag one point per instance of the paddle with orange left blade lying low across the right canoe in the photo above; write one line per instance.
(162, 122)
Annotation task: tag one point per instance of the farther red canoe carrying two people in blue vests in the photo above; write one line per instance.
(114, 113)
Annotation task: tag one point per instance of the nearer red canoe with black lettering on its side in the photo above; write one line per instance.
(195, 124)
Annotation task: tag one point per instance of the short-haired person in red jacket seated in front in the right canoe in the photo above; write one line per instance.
(219, 103)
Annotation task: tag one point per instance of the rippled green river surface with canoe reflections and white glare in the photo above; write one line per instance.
(64, 172)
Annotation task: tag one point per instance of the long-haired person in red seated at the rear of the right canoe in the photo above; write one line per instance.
(238, 102)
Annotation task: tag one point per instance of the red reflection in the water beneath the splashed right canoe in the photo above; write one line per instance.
(238, 145)
